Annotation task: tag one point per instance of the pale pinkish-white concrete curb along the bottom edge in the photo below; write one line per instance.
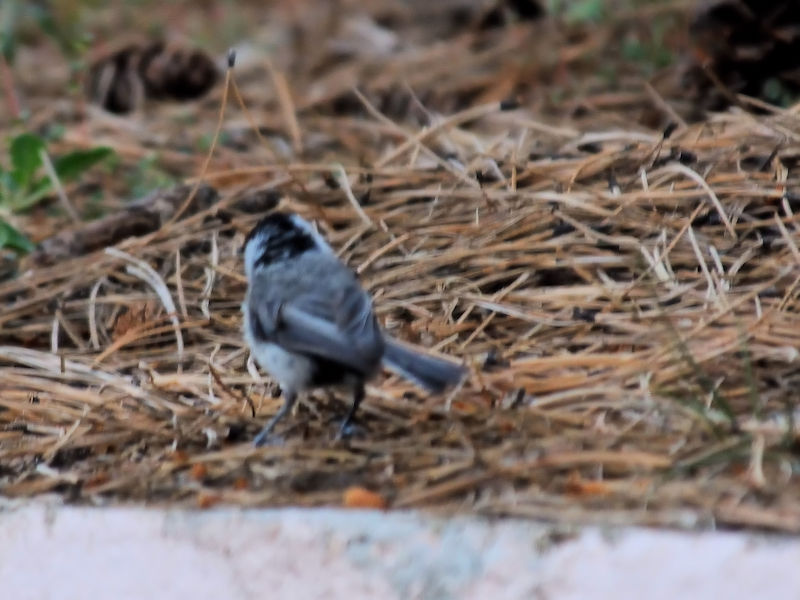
(69, 553)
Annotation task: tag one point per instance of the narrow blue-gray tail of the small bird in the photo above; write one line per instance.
(431, 372)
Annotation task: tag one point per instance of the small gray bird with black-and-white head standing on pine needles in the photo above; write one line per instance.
(309, 323)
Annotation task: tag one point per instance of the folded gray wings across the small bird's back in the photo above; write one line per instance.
(338, 326)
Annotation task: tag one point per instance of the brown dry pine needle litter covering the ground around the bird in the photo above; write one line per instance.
(624, 293)
